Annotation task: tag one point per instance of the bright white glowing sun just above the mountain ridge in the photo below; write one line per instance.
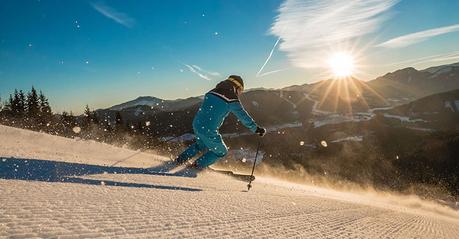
(341, 64)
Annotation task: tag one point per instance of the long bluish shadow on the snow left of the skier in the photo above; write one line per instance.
(54, 171)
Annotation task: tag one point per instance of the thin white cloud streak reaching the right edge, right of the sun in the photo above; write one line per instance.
(413, 38)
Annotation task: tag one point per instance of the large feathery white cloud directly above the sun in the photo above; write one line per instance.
(307, 28)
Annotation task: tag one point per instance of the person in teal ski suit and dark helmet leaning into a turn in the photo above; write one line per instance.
(217, 104)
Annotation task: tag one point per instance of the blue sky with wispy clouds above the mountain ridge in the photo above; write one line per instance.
(103, 53)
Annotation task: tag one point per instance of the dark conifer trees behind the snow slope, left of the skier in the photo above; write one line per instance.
(31, 110)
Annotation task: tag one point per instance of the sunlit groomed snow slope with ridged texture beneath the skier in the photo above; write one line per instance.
(39, 197)
